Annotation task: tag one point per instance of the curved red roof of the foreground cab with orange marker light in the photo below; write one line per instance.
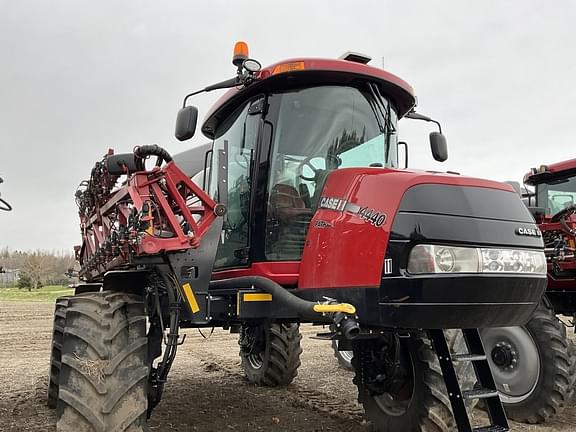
(310, 71)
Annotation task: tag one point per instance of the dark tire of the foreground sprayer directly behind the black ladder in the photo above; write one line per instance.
(423, 403)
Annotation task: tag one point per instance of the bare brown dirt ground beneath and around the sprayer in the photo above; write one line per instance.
(206, 390)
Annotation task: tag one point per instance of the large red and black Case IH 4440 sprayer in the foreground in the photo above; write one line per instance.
(305, 218)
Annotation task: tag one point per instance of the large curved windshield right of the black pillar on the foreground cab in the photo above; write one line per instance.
(315, 131)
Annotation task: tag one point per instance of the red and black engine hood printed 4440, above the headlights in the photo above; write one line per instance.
(359, 206)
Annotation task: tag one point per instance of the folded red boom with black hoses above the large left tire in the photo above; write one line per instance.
(153, 211)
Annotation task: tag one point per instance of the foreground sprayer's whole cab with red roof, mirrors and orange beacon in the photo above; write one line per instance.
(278, 135)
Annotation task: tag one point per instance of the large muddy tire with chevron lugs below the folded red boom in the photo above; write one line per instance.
(105, 371)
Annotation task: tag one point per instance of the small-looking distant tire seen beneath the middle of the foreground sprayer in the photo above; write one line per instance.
(270, 353)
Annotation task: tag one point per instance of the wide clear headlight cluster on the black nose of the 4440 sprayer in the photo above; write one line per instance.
(448, 259)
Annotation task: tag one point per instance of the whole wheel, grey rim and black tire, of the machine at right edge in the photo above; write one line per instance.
(532, 366)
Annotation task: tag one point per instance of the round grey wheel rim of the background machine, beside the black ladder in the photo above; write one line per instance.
(514, 360)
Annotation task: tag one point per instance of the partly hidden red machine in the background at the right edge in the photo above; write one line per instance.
(534, 365)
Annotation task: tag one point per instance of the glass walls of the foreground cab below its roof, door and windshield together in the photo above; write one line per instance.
(289, 149)
